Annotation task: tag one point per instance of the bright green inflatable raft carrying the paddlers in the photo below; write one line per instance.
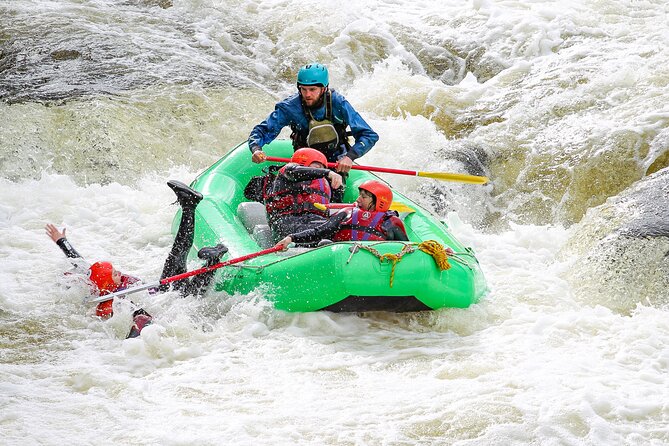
(333, 277)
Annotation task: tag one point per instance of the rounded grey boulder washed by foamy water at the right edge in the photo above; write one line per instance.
(621, 248)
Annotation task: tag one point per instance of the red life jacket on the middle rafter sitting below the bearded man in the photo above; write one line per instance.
(298, 198)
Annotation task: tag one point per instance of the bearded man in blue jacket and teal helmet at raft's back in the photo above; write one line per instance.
(318, 118)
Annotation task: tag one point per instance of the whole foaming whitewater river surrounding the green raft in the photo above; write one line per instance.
(564, 105)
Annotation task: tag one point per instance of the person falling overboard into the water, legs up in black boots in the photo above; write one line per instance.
(106, 279)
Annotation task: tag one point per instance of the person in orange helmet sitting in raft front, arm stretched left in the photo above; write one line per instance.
(369, 218)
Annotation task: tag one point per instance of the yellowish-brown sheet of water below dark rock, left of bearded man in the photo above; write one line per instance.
(103, 139)
